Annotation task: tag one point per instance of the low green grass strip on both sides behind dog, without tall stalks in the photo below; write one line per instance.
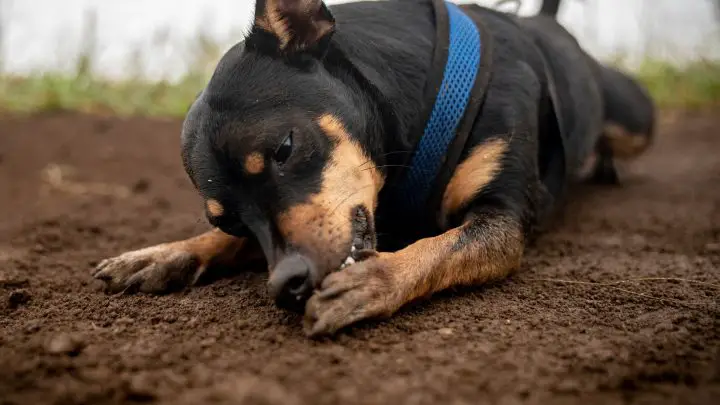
(695, 86)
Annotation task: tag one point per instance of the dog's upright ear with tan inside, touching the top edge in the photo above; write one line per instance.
(297, 25)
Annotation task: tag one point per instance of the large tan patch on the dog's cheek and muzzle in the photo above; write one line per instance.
(322, 226)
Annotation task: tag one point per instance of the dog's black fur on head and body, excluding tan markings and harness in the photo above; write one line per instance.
(547, 98)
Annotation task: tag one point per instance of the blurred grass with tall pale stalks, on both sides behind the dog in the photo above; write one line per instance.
(693, 85)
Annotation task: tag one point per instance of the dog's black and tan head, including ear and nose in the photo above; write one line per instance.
(276, 145)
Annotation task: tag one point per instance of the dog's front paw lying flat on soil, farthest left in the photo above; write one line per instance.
(154, 269)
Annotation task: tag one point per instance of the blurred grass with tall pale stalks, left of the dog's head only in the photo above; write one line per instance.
(83, 91)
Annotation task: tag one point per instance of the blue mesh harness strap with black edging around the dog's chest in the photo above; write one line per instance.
(438, 148)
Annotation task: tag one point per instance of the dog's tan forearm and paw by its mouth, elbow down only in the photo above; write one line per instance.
(486, 247)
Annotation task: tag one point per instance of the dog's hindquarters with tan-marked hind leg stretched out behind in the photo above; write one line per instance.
(625, 126)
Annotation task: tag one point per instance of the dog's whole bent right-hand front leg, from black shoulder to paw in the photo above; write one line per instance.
(488, 209)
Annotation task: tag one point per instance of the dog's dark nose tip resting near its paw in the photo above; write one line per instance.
(290, 283)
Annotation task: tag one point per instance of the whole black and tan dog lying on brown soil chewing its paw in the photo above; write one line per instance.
(300, 141)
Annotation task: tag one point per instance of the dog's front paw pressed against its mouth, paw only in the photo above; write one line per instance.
(362, 291)
